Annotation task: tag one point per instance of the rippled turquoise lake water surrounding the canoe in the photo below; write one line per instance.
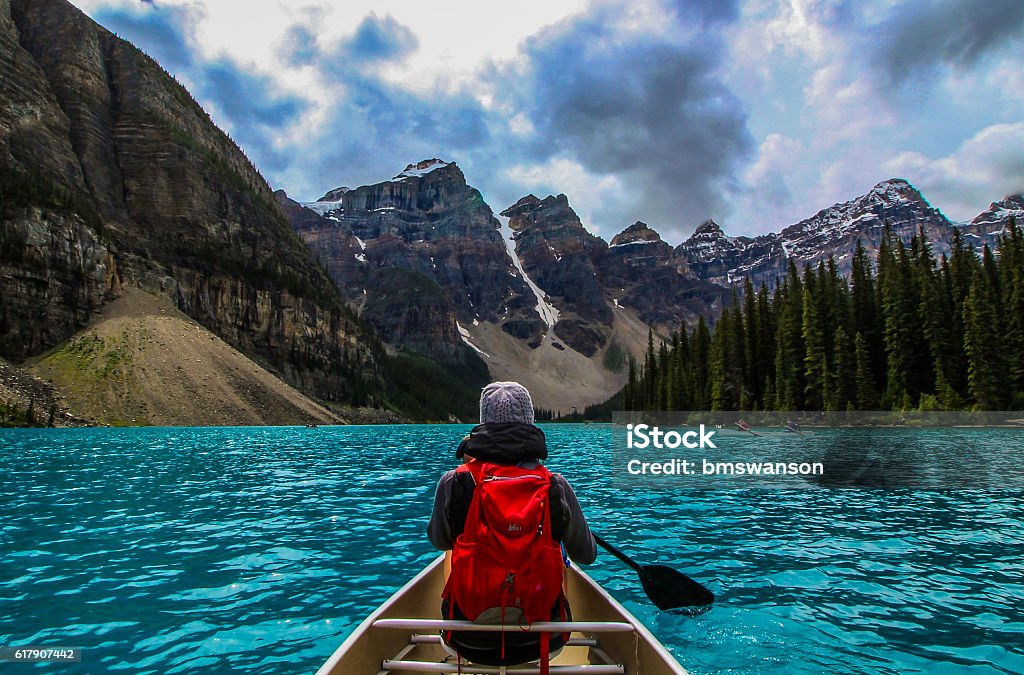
(222, 551)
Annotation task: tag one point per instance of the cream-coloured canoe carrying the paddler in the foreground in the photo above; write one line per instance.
(404, 637)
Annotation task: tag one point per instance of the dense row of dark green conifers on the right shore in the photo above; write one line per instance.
(909, 332)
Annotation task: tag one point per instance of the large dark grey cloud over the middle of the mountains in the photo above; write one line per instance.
(654, 113)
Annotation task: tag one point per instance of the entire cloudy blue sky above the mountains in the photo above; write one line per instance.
(755, 113)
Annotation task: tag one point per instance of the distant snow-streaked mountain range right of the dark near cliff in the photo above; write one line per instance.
(541, 300)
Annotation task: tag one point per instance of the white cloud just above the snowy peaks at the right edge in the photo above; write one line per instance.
(987, 167)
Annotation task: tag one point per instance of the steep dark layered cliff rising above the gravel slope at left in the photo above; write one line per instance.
(113, 175)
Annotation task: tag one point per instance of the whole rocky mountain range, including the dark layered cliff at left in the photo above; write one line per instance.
(113, 177)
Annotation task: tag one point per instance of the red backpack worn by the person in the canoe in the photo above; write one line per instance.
(506, 559)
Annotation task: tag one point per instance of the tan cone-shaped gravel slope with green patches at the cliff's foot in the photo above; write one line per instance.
(146, 363)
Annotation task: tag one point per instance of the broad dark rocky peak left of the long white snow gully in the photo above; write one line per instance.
(418, 257)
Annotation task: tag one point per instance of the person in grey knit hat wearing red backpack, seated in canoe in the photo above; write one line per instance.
(509, 528)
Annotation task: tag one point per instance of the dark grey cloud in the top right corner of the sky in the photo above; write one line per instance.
(916, 39)
